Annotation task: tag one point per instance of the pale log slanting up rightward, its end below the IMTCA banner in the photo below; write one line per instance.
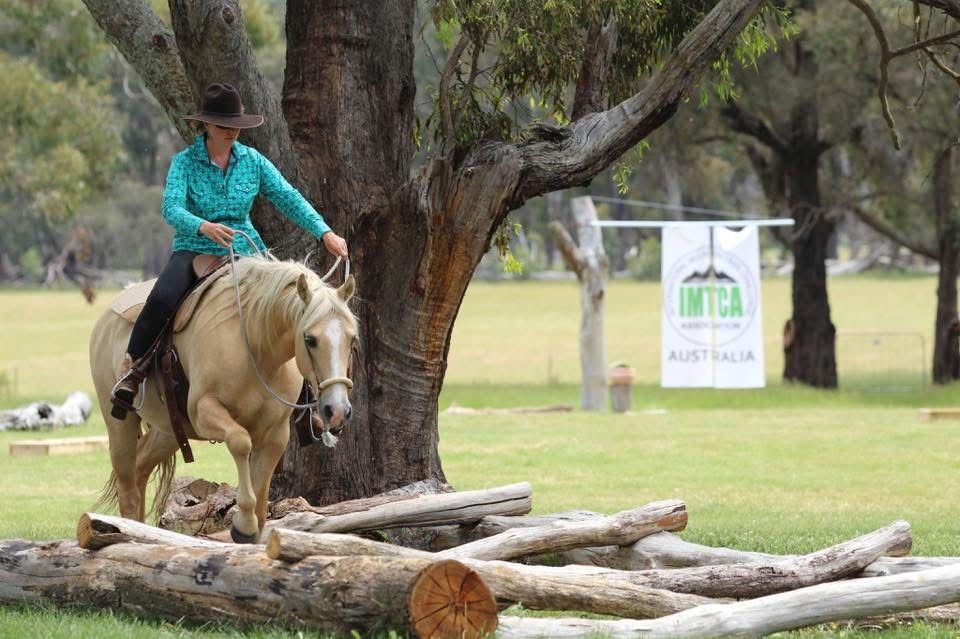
(619, 529)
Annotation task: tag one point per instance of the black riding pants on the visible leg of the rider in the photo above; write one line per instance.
(177, 278)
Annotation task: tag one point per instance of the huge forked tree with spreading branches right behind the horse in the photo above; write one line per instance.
(343, 128)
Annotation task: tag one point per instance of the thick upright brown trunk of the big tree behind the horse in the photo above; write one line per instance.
(354, 149)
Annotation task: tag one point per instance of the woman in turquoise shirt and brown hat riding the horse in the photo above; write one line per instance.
(210, 190)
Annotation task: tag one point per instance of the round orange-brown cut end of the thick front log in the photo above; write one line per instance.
(448, 600)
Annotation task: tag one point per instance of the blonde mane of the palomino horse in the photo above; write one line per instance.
(268, 290)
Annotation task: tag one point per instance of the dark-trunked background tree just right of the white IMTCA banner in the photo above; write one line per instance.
(806, 100)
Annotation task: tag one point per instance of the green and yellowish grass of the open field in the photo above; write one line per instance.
(785, 469)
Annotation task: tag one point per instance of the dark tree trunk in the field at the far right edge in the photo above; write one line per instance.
(946, 343)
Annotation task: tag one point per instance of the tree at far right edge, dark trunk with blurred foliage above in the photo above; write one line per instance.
(918, 72)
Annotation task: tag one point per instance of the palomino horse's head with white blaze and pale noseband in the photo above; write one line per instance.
(324, 343)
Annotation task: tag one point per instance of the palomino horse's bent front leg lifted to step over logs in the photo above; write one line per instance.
(214, 421)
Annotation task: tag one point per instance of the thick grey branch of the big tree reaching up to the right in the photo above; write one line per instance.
(598, 139)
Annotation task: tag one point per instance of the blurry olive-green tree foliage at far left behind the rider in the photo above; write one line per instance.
(62, 145)
